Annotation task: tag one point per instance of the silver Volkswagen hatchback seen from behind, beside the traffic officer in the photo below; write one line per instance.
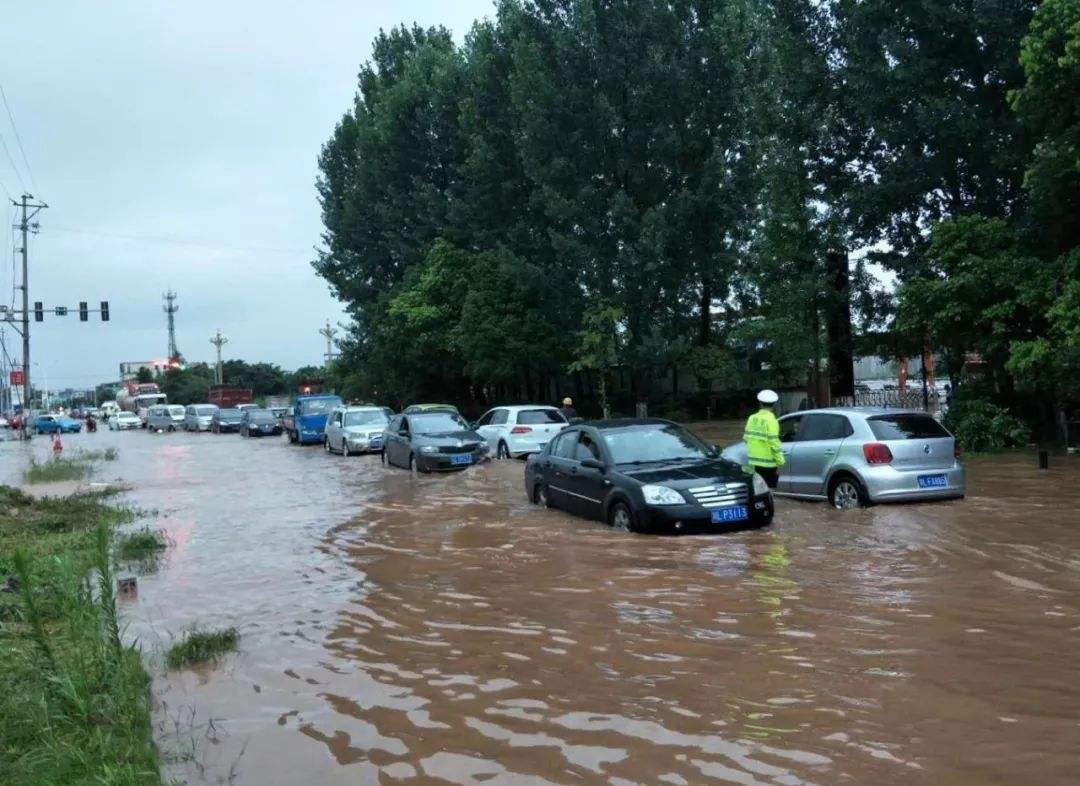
(858, 456)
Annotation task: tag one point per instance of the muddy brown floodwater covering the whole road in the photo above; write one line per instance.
(440, 630)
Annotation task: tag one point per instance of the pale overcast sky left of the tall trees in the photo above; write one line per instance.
(177, 147)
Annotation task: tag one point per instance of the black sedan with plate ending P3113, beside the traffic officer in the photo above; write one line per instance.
(645, 477)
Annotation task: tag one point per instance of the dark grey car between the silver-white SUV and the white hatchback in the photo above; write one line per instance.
(433, 441)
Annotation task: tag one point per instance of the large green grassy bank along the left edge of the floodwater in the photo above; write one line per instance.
(75, 703)
